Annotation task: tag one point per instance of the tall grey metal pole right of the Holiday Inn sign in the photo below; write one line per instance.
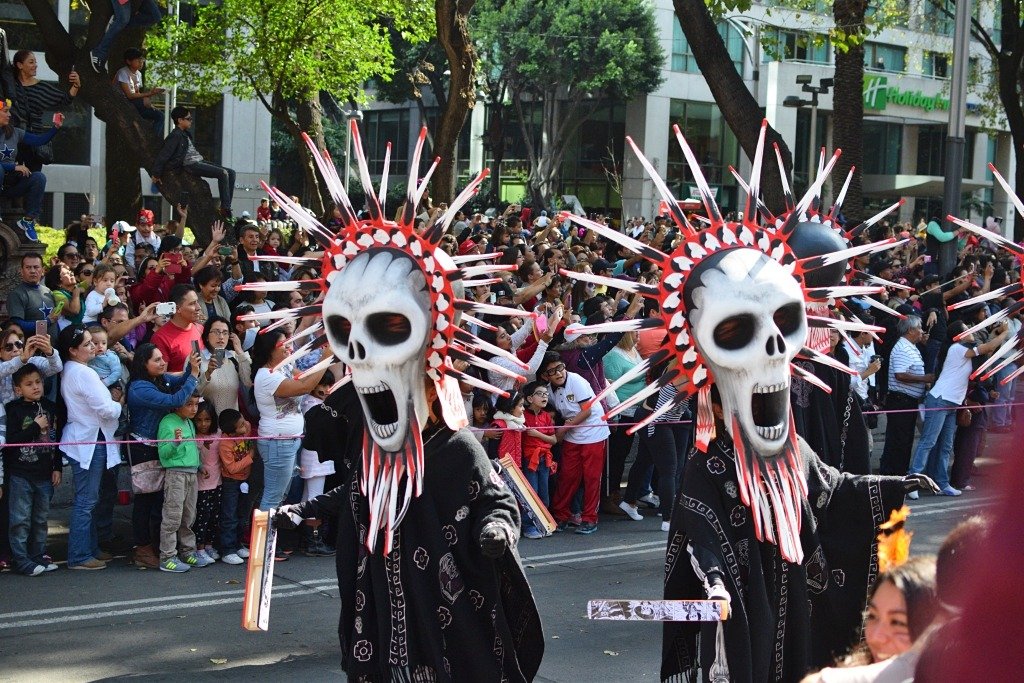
(956, 141)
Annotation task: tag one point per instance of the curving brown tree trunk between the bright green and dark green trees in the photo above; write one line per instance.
(453, 34)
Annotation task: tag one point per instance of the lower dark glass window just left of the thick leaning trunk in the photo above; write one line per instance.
(713, 144)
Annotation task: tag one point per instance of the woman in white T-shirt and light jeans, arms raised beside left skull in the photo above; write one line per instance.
(277, 395)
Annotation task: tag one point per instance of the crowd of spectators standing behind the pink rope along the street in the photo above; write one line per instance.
(147, 336)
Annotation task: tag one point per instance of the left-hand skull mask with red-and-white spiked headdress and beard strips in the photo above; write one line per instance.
(391, 310)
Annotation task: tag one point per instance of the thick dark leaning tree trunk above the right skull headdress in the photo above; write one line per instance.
(739, 107)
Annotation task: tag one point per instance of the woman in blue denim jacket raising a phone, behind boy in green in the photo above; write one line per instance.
(152, 395)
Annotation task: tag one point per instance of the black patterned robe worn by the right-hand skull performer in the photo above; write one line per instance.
(785, 619)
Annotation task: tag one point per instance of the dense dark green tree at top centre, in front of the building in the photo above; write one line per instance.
(568, 59)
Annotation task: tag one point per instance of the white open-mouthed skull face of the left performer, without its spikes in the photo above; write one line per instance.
(378, 316)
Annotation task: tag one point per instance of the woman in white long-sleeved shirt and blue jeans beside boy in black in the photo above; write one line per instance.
(93, 416)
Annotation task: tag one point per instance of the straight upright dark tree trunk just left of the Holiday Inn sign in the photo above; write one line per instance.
(848, 107)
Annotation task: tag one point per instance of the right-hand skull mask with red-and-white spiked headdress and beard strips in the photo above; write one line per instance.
(733, 306)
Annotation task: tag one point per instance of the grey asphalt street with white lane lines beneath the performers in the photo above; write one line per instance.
(124, 623)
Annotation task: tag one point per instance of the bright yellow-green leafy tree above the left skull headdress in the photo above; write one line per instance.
(285, 54)
